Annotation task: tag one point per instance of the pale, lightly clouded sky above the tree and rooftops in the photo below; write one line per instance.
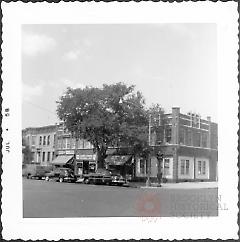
(174, 65)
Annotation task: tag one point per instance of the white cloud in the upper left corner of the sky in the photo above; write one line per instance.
(33, 44)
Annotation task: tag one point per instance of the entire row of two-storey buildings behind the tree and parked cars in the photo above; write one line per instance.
(187, 144)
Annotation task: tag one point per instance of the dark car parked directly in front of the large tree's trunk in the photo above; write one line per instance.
(101, 176)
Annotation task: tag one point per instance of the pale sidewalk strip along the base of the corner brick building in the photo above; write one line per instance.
(180, 185)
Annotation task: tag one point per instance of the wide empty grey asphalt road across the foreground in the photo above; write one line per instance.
(44, 199)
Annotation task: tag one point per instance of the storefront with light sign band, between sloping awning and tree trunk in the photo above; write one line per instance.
(85, 162)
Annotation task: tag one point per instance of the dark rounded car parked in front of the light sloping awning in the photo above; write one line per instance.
(61, 175)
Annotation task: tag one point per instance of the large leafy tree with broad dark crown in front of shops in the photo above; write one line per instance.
(113, 115)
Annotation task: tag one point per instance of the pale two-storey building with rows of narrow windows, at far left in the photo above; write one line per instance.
(42, 142)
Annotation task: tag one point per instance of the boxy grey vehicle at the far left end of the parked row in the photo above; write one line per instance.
(36, 171)
